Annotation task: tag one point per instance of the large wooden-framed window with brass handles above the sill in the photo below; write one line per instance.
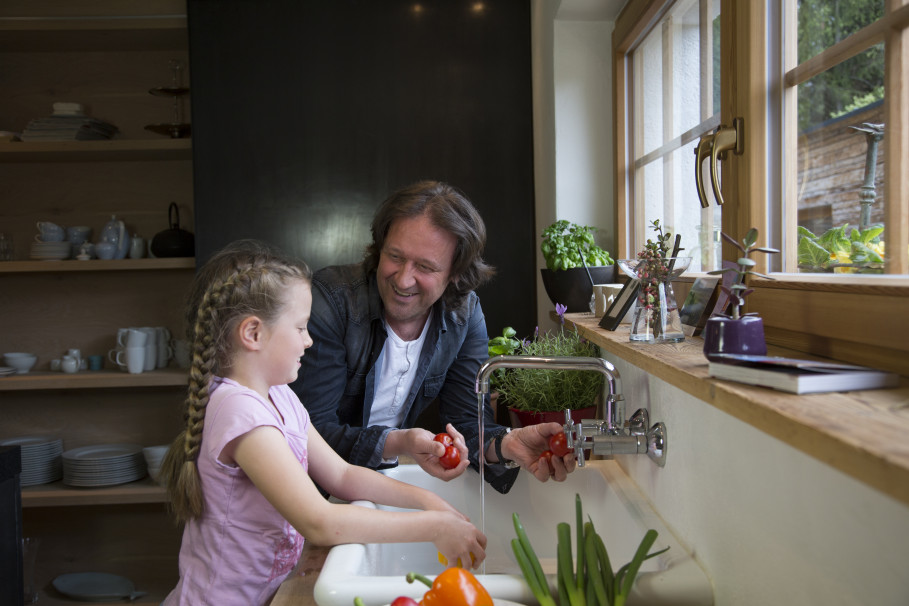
(800, 74)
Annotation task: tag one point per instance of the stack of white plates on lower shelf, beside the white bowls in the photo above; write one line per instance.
(103, 465)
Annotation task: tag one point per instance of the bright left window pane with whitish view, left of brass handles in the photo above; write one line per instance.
(676, 92)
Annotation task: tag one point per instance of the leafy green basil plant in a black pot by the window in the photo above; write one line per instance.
(570, 252)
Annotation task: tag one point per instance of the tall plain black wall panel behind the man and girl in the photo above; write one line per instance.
(306, 115)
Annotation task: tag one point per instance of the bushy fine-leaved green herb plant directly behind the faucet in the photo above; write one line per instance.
(535, 395)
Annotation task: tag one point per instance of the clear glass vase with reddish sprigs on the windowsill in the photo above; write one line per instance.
(656, 316)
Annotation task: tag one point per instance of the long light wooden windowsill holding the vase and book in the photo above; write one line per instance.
(861, 433)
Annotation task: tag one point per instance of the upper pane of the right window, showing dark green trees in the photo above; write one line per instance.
(823, 23)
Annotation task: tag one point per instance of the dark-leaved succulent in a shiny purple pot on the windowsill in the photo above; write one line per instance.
(738, 332)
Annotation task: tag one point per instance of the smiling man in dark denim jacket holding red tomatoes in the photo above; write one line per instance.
(403, 328)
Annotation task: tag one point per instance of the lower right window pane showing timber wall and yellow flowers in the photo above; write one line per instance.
(841, 167)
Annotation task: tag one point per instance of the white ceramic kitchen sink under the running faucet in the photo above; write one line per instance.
(620, 513)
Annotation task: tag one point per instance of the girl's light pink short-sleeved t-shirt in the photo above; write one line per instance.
(241, 549)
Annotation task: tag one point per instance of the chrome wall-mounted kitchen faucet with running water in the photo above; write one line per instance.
(610, 436)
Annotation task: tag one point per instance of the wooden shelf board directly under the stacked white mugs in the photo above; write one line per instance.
(88, 379)
